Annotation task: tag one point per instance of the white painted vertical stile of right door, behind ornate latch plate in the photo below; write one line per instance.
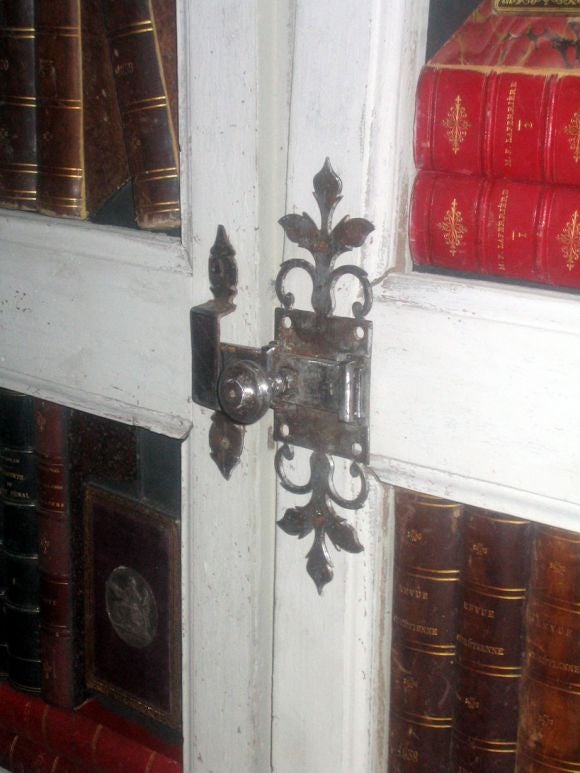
(355, 69)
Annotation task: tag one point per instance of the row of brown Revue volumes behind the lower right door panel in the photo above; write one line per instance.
(486, 632)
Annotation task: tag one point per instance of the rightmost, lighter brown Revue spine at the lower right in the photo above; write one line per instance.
(548, 735)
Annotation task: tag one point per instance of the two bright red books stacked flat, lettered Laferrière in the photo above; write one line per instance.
(497, 146)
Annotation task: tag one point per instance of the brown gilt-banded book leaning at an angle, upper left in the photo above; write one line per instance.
(142, 36)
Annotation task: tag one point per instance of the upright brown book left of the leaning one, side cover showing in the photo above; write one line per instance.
(81, 153)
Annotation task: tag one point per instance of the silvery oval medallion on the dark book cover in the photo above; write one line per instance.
(131, 607)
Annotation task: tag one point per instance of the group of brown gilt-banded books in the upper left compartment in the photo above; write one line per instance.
(88, 97)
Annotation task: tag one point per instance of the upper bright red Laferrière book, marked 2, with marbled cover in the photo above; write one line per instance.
(502, 98)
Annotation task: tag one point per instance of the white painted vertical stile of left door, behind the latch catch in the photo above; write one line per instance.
(235, 78)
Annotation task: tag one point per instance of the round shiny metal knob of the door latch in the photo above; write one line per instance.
(245, 391)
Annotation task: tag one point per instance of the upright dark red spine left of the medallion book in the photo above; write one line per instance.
(59, 672)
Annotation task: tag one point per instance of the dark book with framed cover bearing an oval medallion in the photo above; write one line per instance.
(132, 611)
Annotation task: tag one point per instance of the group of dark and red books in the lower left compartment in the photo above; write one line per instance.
(89, 560)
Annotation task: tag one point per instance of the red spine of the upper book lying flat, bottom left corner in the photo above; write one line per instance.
(89, 744)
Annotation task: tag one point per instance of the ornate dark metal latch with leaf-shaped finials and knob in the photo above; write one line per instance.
(315, 374)
